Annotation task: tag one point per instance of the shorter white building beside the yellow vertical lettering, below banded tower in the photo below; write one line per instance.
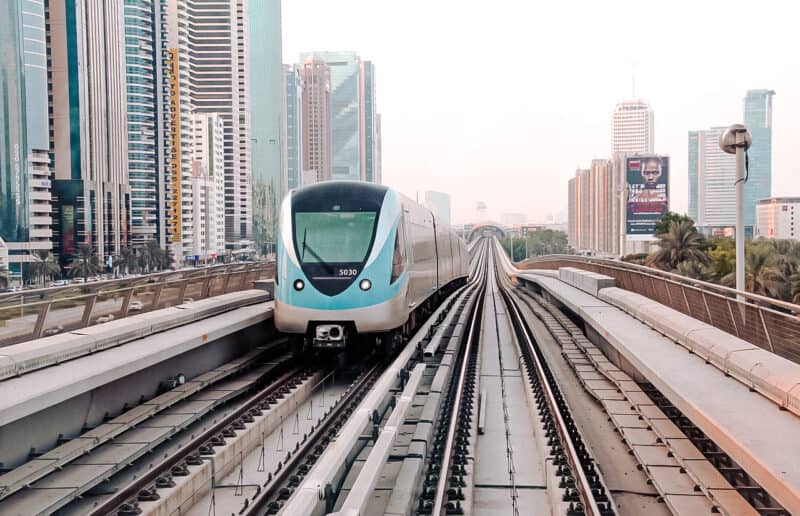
(206, 240)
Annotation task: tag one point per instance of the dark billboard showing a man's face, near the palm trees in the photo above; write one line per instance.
(647, 195)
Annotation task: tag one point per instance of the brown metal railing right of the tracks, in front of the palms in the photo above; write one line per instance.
(768, 323)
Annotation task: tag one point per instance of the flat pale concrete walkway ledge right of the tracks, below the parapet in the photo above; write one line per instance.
(721, 406)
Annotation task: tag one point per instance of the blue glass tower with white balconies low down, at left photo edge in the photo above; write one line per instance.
(25, 220)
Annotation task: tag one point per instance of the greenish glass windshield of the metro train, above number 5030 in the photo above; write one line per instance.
(332, 237)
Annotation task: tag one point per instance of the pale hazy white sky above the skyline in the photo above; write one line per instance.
(502, 100)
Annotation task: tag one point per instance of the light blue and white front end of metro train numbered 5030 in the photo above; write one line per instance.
(338, 272)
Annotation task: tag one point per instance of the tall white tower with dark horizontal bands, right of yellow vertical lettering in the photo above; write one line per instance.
(217, 49)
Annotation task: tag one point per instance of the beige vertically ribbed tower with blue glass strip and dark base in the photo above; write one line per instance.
(88, 125)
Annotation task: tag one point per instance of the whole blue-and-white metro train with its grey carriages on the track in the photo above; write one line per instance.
(358, 258)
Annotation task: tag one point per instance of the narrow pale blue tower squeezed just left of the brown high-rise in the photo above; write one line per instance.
(293, 148)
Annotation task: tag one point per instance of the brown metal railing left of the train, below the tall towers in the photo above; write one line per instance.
(54, 311)
